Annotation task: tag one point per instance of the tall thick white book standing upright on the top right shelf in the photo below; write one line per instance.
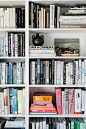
(52, 15)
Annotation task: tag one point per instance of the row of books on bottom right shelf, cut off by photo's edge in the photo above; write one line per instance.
(57, 123)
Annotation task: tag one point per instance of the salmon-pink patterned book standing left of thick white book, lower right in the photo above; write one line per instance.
(71, 99)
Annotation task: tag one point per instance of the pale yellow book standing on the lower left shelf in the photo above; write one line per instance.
(20, 101)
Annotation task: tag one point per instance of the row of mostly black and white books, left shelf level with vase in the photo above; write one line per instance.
(12, 45)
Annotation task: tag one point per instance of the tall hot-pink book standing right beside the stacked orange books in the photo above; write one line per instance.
(58, 101)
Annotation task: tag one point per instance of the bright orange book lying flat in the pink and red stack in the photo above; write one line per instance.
(42, 98)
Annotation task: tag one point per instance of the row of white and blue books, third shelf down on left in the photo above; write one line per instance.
(12, 73)
